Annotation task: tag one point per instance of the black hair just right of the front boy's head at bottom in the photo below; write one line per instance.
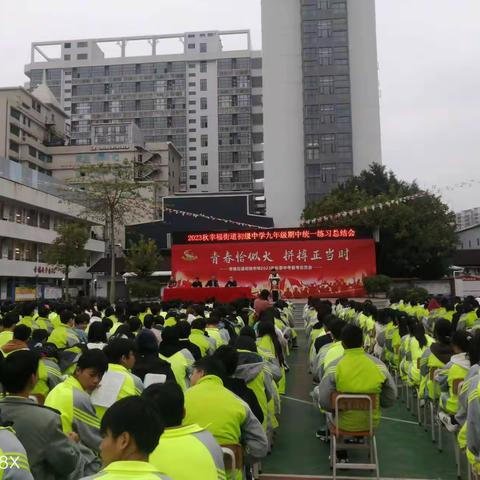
(168, 400)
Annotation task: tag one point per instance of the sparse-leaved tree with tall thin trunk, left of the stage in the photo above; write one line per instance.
(113, 194)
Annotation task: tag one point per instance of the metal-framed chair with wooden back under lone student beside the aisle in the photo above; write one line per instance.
(342, 402)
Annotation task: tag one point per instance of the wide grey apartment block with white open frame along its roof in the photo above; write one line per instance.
(206, 100)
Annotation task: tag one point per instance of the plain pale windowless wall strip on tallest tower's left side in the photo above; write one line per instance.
(283, 111)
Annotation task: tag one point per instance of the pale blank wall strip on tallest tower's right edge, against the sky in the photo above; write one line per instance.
(364, 84)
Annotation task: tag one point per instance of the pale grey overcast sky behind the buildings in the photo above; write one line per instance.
(428, 52)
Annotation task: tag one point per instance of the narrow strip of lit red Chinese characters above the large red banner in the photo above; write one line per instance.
(290, 234)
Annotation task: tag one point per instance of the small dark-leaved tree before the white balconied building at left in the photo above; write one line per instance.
(68, 250)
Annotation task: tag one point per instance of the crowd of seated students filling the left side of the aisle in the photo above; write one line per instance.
(93, 390)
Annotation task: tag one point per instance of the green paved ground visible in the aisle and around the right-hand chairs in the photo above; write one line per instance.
(405, 450)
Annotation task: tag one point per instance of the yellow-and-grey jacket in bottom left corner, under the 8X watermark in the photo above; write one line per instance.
(15, 462)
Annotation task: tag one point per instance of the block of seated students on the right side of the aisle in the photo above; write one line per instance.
(432, 347)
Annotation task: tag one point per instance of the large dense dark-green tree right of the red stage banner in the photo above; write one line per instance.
(416, 238)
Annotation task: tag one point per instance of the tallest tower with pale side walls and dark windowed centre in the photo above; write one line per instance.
(321, 102)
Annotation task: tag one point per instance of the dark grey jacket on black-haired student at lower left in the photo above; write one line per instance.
(52, 455)
